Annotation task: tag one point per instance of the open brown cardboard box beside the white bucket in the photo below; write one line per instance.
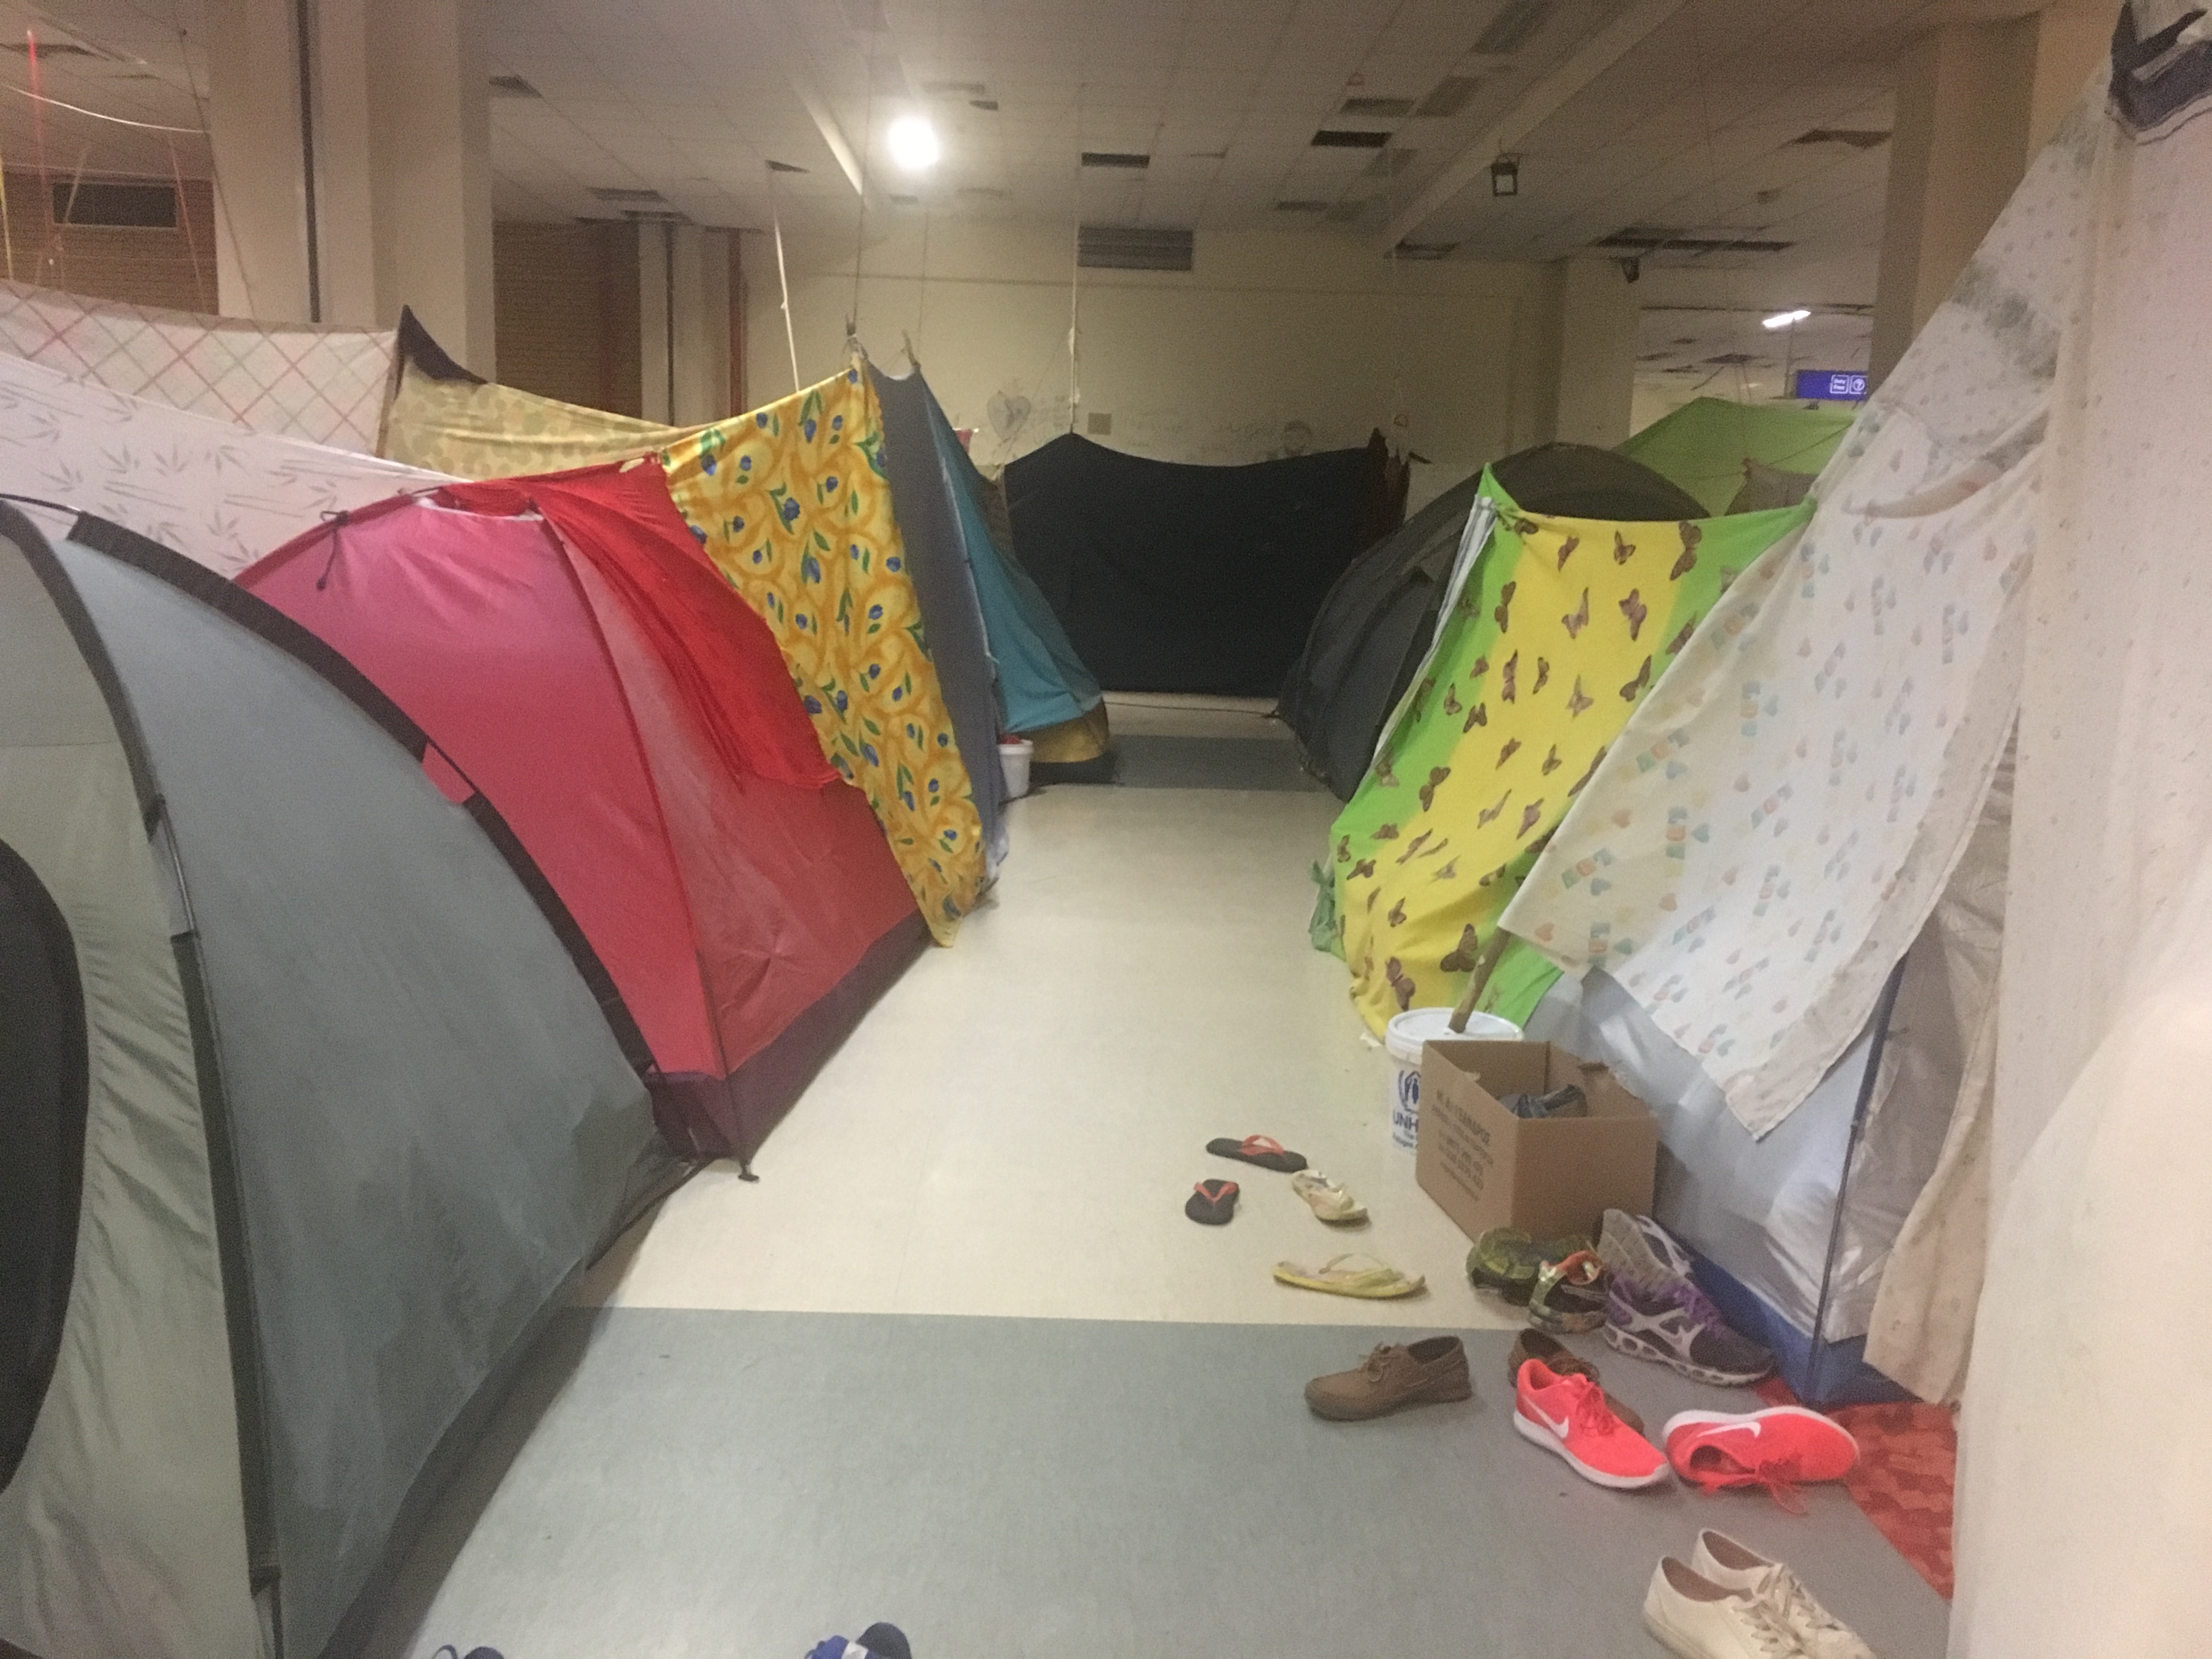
(1550, 1176)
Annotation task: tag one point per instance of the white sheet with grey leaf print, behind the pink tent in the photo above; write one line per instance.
(211, 490)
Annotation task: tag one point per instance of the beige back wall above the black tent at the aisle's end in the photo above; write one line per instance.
(1215, 366)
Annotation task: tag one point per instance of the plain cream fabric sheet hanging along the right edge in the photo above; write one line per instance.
(2083, 1519)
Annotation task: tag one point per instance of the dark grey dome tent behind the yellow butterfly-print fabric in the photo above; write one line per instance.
(1377, 620)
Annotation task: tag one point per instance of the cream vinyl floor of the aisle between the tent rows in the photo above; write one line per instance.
(1014, 1129)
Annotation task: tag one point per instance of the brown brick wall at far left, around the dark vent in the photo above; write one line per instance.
(171, 269)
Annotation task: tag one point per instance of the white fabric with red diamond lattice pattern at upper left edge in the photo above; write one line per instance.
(324, 384)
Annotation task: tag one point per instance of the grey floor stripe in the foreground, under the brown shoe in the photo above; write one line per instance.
(740, 1485)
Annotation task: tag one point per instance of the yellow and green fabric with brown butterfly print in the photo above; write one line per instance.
(1552, 645)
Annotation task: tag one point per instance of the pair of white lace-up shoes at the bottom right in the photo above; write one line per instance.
(1735, 1605)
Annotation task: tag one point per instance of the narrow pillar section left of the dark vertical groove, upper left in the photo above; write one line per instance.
(260, 163)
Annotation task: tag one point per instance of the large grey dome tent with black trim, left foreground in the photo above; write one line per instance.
(315, 1107)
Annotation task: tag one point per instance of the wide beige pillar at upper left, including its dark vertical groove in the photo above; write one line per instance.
(401, 178)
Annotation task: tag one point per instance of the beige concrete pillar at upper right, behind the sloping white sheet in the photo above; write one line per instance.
(1976, 101)
